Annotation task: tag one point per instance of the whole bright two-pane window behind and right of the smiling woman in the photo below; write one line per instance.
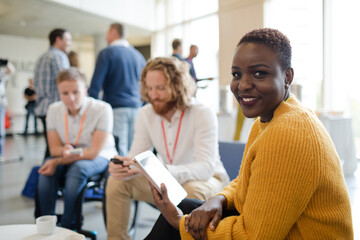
(324, 37)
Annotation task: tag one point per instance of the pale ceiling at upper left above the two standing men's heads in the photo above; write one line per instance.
(36, 18)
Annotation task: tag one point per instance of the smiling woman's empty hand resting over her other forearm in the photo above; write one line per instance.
(207, 215)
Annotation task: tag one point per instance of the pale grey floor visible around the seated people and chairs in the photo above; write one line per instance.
(22, 153)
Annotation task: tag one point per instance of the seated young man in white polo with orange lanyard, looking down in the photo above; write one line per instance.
(76, 122)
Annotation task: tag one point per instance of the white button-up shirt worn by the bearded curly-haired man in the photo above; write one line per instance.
(196, 155)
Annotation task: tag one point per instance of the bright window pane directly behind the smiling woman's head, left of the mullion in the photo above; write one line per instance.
(301, 21)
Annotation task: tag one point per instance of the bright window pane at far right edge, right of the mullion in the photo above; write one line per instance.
(342, 51)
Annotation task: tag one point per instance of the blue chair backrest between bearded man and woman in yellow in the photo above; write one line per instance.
(231, 154)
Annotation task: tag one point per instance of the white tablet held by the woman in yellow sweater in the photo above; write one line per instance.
(156, 173)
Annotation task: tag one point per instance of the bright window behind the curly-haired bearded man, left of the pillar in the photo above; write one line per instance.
(195, 22)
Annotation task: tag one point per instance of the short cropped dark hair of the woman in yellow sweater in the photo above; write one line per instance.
(274, 40)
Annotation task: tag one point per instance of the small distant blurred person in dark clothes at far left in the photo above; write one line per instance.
(30, 96)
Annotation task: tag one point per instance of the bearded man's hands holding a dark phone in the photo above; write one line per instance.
(122, 171)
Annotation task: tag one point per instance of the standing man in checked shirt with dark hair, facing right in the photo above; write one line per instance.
(46, 71)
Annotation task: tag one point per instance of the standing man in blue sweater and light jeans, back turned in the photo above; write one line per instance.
(117, 72)
